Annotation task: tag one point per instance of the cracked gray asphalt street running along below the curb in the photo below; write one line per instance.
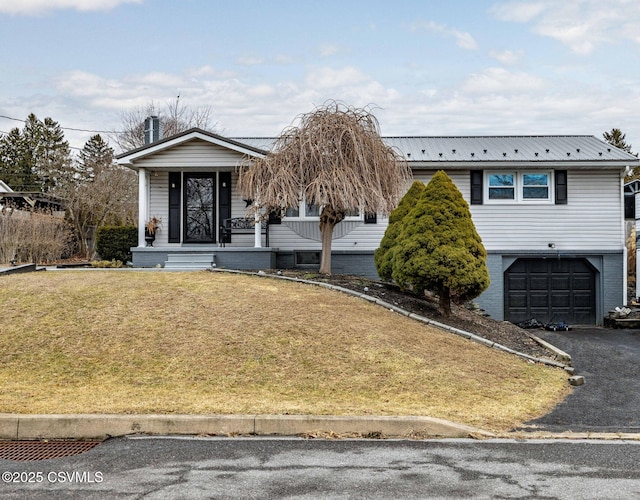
(199, 468)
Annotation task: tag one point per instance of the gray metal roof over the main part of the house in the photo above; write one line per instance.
(494, 149)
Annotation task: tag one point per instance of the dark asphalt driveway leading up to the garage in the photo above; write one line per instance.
(609, 400)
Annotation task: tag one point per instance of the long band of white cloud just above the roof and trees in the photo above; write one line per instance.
(493, 101)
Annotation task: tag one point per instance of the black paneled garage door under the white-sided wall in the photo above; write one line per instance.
(551, 290)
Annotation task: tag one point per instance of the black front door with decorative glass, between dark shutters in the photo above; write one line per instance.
(199, 208)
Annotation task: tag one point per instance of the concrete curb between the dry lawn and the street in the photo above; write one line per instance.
(90, 426)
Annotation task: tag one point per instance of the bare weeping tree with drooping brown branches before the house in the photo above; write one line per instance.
(335, 159)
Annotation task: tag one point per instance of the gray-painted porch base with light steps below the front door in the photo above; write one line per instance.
(204, 257)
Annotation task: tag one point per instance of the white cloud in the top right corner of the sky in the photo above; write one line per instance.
(581, 25)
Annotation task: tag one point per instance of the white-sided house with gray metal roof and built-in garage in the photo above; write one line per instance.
(549, 209)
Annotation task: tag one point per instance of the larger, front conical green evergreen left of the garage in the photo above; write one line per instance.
(438, 248)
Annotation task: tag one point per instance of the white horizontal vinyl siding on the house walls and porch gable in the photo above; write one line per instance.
(591, 220)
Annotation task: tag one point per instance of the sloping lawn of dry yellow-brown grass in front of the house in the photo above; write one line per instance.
(154, 342)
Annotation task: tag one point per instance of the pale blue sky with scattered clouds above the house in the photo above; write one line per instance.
(425, 67)
